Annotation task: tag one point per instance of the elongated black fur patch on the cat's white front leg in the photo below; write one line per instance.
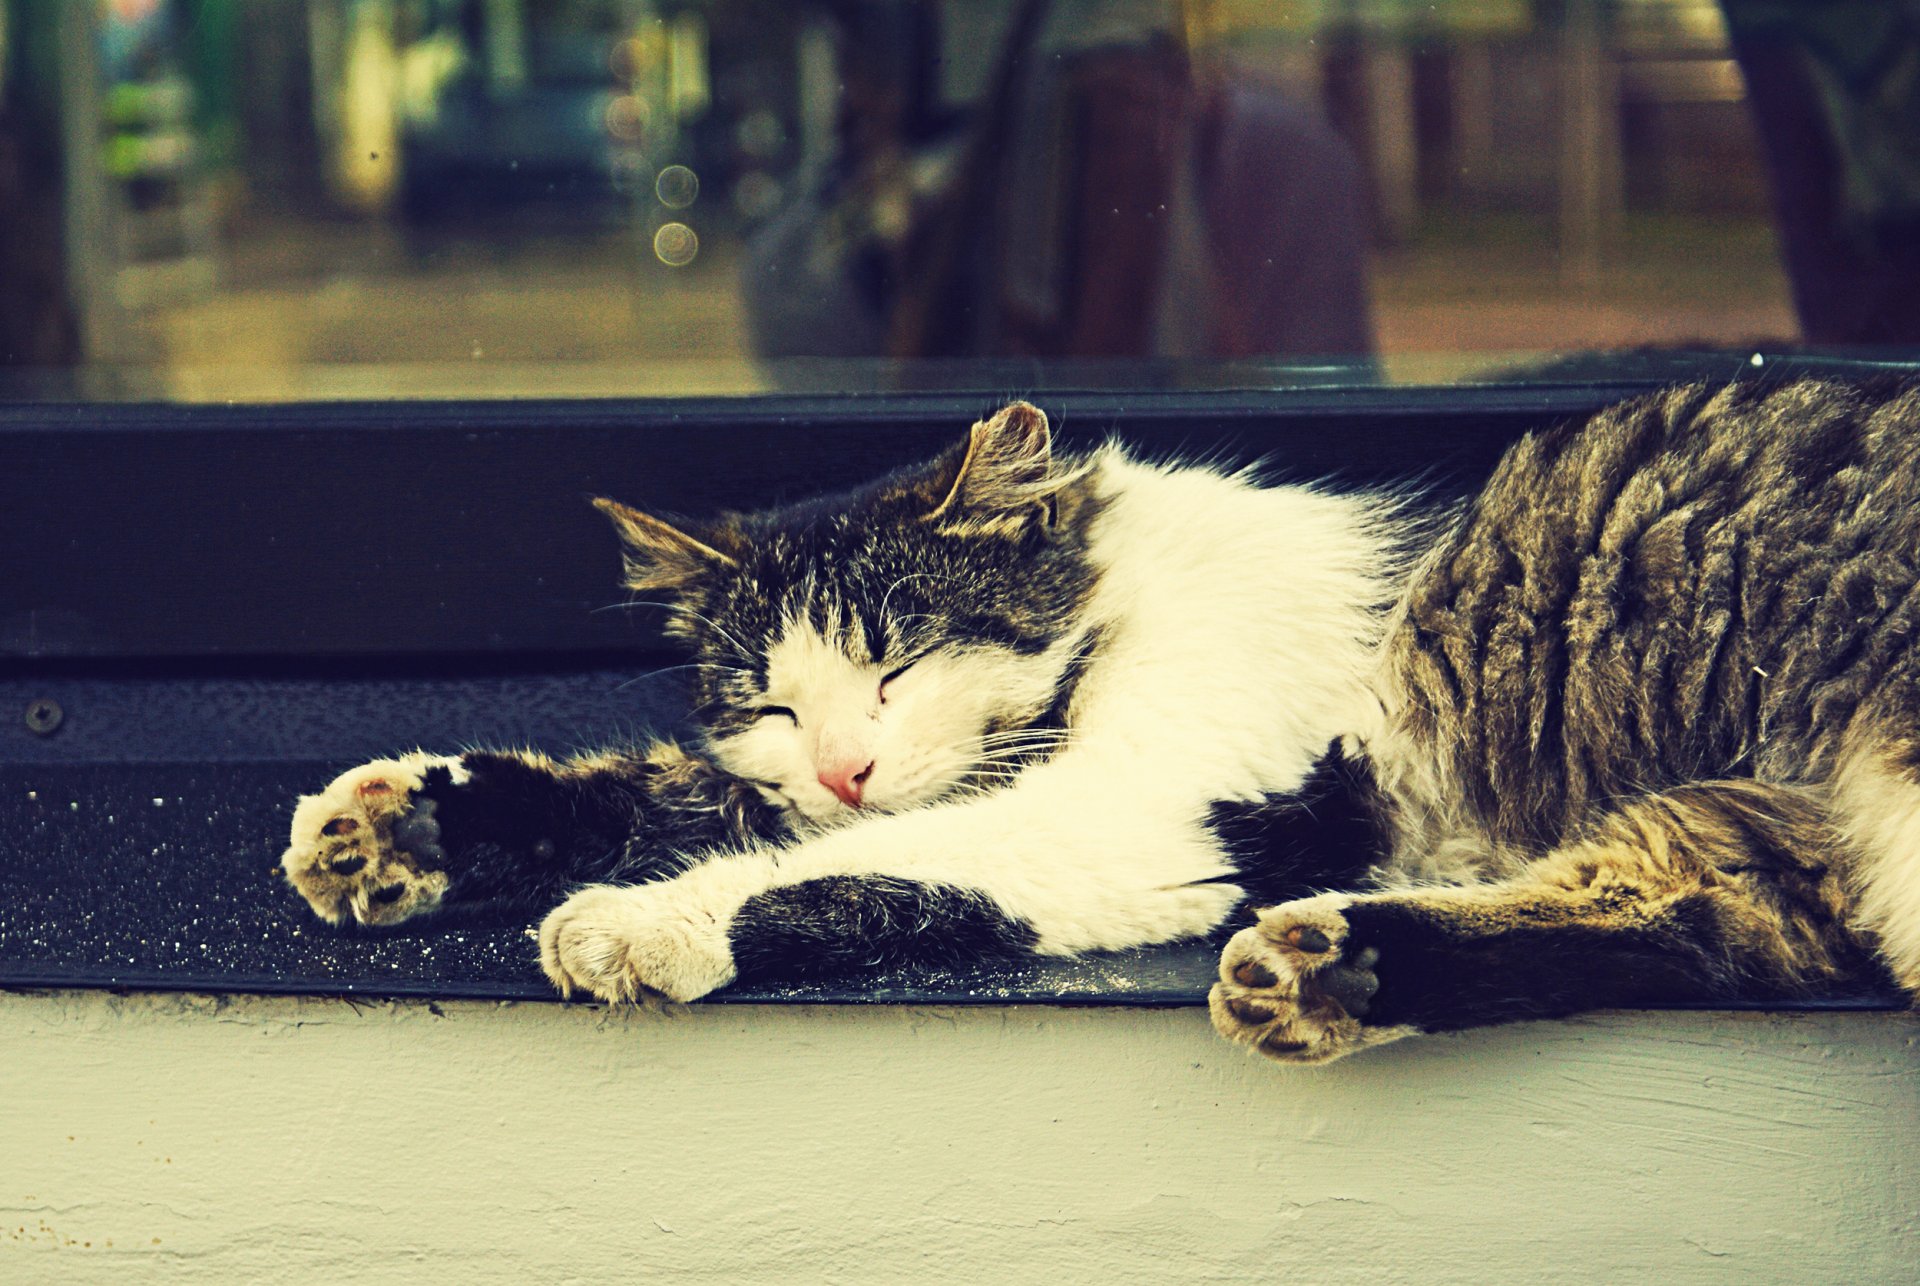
(857, 924)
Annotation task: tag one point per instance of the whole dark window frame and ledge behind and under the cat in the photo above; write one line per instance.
(231, 606)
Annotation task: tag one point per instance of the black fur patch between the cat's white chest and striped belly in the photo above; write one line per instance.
(1328, 836)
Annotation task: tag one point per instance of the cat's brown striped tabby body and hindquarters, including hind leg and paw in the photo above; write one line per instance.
(1648, 723)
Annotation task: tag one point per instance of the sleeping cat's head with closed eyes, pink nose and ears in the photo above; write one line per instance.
(892, 646)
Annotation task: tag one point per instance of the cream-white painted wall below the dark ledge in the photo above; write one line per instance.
(195, 1139)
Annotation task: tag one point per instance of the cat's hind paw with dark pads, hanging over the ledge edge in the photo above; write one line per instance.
(1297, 988)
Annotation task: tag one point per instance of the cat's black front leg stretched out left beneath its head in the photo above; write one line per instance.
(400, 838)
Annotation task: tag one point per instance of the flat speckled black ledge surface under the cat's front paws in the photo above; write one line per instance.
(162, 876)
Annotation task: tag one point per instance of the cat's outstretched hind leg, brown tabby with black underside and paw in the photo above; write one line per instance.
(1712, 892)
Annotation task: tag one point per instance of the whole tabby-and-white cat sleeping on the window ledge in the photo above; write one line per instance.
(1635, 726)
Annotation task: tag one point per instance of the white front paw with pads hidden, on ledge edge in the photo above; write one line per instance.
(635, 943)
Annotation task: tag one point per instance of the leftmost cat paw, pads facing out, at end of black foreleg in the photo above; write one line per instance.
(368, 847)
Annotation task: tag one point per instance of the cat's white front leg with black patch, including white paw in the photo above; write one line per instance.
(1057, 865)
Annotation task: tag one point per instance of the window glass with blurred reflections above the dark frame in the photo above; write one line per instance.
(429, 199)
